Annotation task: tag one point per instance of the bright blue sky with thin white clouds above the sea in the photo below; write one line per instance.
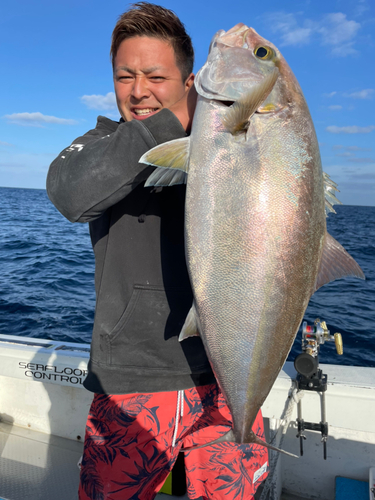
(56, 76)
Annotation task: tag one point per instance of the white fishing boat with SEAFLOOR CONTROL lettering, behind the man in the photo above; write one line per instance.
(43, 410)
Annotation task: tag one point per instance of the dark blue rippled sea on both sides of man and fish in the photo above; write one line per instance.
(47, 278)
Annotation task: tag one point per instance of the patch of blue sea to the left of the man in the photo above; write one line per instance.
(47, 270)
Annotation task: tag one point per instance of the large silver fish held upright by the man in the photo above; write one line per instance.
(257, 246)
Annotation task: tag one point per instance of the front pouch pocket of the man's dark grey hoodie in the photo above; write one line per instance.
(146, 334)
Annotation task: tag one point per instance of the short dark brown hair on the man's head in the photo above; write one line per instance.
(148, 19)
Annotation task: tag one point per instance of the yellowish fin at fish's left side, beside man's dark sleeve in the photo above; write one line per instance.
(172, 160)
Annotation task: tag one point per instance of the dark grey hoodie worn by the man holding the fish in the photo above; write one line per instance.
(143, 292)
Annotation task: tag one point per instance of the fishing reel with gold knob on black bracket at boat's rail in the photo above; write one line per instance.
(311, 378)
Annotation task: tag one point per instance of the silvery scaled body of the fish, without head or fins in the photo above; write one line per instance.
(255, 229)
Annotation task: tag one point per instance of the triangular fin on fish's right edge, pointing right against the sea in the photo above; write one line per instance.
(336, 263)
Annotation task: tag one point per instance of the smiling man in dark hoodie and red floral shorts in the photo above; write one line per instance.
(153, 395)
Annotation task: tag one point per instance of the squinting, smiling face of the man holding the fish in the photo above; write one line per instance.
(147, 78)
